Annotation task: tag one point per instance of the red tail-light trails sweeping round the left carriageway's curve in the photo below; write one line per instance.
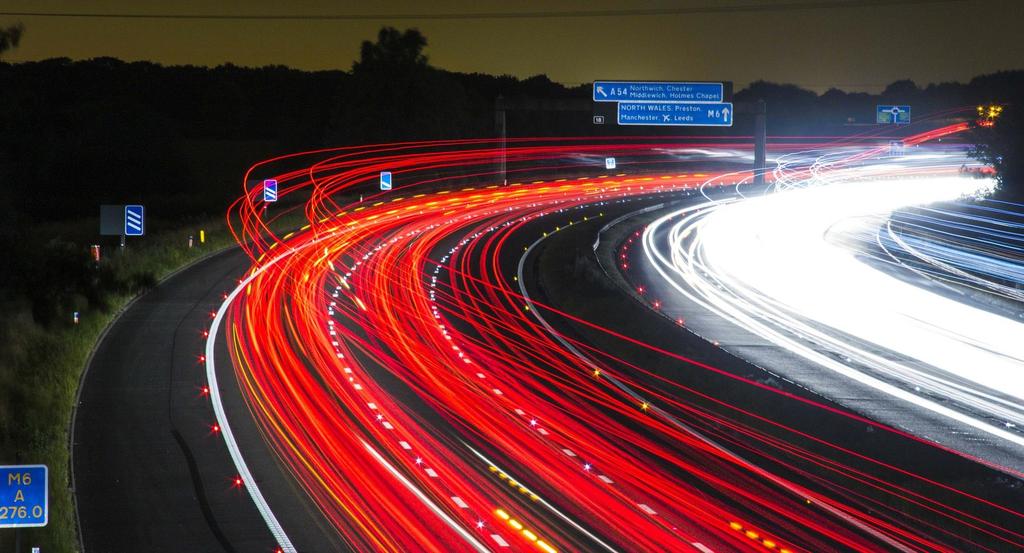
(397, 370)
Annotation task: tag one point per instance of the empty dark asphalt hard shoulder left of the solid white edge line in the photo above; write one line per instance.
(148, 474)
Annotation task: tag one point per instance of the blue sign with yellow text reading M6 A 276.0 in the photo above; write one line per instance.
(24, 496)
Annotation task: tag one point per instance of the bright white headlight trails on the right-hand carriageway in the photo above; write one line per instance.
(781, 267)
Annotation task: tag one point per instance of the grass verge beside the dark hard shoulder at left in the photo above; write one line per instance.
(41, 366)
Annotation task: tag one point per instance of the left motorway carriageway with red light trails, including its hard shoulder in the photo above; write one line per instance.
(423, 371)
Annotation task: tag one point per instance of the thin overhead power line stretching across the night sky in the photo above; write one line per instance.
(628, 13)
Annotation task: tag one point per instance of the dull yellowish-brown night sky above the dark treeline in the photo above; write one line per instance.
(859, 49)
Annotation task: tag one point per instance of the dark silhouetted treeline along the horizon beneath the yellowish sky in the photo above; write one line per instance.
(76, 135)
